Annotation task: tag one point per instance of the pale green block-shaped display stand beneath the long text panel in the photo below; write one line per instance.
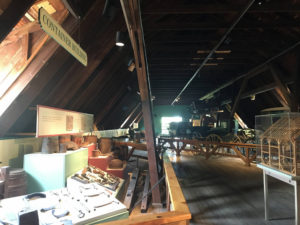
(50, 171)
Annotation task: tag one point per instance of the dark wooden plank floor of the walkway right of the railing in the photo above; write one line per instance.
(223, 191)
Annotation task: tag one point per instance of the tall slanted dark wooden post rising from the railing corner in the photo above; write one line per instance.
(132, 16)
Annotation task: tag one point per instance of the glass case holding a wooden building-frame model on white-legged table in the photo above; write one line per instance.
(278, 136)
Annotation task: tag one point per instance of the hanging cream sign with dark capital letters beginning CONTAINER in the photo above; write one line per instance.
(51, 27)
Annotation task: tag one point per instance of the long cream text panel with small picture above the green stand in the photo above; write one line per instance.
(53, 122)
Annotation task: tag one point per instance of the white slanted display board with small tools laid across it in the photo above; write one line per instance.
(82, 206)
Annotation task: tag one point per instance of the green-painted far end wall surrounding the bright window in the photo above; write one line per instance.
(160, 111)
